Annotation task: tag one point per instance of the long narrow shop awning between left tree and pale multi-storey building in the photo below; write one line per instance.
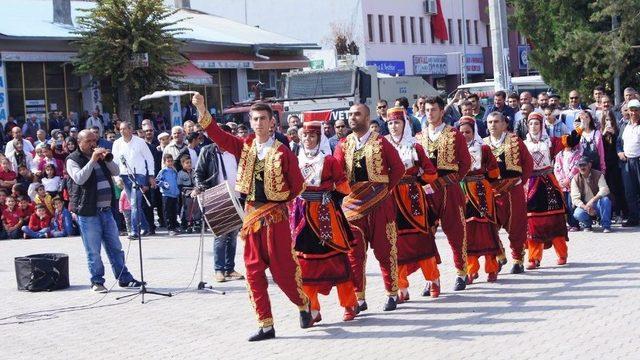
(238, 60)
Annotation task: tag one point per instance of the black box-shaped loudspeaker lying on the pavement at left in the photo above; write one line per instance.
(42, 272)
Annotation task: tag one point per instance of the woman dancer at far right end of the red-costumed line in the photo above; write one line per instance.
(545, 200)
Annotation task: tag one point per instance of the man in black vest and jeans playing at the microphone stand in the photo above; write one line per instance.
(91, 197)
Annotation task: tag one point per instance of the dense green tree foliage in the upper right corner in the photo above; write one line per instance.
(573, 44)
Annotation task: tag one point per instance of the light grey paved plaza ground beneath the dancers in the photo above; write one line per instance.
(589, 309)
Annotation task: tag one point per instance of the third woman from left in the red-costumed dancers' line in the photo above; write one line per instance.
(480, 211)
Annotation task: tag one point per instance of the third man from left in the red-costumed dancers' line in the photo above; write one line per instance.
(447, 150)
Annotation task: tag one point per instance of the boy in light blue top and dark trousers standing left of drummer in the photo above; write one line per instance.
(167, 180)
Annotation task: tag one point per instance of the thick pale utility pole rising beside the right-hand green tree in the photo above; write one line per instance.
(499, 43)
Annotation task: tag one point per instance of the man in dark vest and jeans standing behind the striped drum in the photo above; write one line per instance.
(215, 166)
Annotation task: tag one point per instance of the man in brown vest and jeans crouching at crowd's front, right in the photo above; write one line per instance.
(589, 194)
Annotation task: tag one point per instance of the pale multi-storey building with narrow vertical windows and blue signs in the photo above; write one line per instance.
(396, 36)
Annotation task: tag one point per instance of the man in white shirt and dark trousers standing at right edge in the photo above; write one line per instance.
(629, 153)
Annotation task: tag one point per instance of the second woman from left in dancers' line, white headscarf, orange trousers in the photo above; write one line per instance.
(416, 241)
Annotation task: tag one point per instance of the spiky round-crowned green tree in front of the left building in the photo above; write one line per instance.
(115, 33)
